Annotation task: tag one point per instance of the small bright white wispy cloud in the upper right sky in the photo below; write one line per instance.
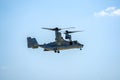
(110, 11)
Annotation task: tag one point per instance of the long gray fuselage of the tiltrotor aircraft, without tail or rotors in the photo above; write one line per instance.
(61, 46)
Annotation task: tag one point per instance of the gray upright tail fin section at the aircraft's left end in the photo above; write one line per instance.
(32, 43)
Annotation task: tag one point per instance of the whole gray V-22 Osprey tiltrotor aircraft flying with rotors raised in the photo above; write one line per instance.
(59, 44)
